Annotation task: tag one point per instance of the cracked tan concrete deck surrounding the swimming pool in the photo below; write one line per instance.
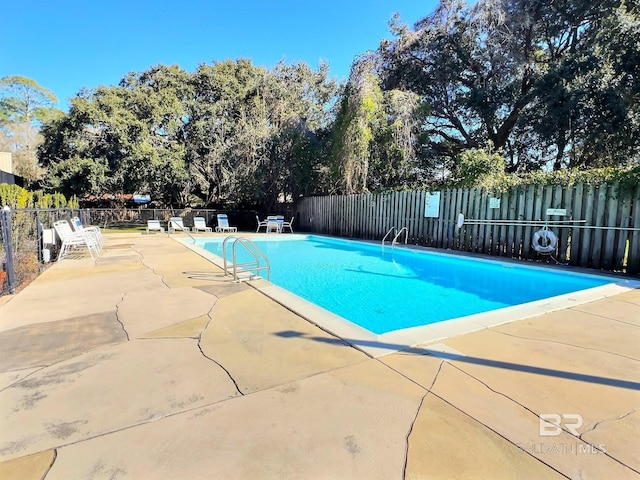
(148, 363)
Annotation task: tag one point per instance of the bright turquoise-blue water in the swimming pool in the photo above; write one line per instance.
(389, 289)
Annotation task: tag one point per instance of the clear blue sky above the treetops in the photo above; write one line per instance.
(66, 45)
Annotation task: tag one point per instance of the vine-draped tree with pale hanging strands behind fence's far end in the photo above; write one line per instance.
(376, 134)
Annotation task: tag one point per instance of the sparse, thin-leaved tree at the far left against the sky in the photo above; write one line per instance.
(24, 105)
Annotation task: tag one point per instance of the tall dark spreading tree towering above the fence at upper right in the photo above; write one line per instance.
(540, 80)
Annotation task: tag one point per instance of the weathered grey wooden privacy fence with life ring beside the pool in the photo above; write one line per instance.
(607, 238)
